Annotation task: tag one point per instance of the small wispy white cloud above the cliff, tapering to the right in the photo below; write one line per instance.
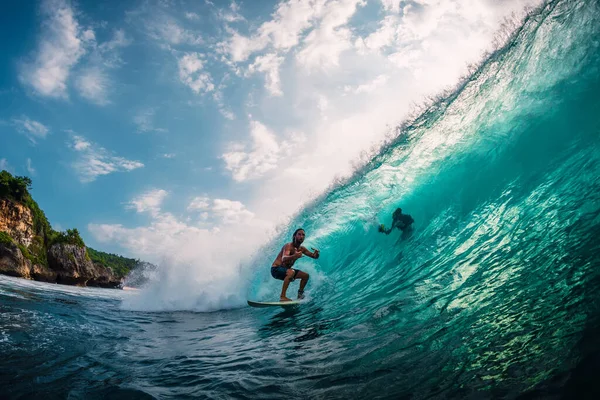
(94, 161)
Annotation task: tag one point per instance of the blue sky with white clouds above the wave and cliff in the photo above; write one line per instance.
(193, 127)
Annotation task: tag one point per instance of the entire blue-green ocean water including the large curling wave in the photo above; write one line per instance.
(495, 294)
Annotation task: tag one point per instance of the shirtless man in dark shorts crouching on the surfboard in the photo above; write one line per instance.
(282, 266)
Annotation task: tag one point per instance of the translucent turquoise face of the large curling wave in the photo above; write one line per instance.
(498, 283)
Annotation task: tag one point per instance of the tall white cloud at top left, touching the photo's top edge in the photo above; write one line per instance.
(60, 48)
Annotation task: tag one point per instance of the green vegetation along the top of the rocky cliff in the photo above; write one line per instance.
(16, 188)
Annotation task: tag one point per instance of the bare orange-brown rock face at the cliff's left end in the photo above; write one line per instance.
(16, 220)
